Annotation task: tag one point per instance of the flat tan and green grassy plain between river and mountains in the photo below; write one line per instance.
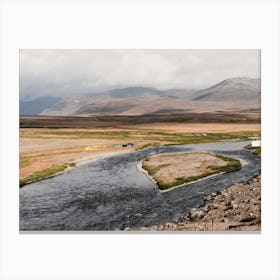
(45, 148)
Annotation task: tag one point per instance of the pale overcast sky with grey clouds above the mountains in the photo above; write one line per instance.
(76, 72)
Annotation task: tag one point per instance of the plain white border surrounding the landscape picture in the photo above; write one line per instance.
(157, 24)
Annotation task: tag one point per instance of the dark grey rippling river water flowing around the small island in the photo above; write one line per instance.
(111, 193)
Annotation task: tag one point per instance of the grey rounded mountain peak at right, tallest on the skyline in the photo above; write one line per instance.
(235, 90)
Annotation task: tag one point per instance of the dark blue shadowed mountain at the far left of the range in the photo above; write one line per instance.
(37, 106)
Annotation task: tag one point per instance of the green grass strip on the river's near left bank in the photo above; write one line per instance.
(38, 175)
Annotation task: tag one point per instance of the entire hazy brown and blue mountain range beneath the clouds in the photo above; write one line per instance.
(239, 94)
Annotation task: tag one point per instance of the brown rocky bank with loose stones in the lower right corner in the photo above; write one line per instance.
(237, 208)
